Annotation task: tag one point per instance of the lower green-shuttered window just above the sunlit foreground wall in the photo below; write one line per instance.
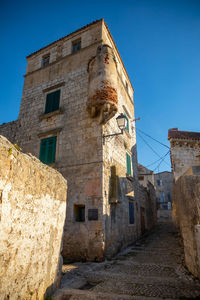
(48, 150)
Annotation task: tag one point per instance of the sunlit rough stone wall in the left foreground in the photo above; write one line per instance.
(32, 216)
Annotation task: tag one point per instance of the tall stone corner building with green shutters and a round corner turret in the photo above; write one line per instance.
(73, 91)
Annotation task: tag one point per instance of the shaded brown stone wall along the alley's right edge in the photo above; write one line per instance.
(186, 211)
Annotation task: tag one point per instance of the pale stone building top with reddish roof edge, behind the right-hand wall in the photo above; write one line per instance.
(185, 150)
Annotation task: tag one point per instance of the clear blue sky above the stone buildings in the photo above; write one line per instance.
(159, 42)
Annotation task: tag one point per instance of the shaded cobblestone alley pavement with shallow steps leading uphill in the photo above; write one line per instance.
(150, 269)
